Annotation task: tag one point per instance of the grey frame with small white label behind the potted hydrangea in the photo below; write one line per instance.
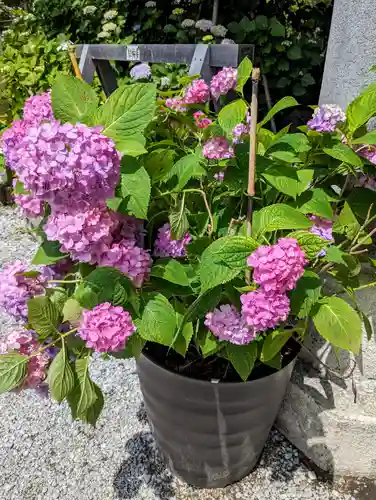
(201, 58)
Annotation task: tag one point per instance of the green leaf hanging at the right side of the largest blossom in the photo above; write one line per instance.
(135, 188)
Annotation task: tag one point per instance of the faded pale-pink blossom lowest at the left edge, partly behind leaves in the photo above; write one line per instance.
(23, 342)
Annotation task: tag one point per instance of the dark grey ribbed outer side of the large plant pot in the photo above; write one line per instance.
(211, 434)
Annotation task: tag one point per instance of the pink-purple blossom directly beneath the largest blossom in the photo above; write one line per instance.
(85, 234)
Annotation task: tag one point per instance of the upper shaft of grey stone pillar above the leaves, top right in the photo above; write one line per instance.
(351, 51)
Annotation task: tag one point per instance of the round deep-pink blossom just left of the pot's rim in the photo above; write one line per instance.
(106, 328)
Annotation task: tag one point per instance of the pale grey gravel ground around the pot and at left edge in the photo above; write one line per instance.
(45, 456)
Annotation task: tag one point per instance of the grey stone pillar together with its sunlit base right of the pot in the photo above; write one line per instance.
(331, 418)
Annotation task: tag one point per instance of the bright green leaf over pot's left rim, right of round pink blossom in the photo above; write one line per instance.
(158, 321)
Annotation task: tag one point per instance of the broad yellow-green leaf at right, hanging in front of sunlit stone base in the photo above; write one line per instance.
(338, 323)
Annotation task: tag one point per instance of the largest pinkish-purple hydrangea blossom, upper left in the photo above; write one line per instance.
(67, 164)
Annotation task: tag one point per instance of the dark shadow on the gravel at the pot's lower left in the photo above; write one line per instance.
(143, 467)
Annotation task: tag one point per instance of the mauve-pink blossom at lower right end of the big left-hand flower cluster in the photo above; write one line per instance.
(129, 258)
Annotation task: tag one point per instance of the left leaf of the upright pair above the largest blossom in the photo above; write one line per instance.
(73, 100)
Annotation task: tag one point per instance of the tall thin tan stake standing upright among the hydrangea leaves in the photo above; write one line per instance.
(252, 155)
